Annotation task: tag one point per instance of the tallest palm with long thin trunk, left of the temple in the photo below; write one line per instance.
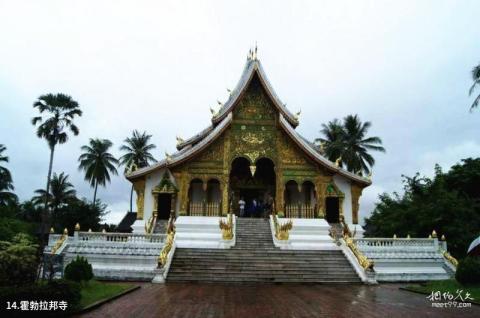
(61, 110)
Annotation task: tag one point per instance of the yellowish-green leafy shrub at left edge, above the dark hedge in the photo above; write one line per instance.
(18, 261)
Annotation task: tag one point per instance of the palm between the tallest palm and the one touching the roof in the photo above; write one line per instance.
(97, 163)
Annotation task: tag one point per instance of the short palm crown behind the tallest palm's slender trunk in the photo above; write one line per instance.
(61, 192)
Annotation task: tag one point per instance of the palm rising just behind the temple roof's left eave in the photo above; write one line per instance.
(137, 154)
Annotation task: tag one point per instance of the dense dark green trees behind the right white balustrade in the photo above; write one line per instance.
(449, 203)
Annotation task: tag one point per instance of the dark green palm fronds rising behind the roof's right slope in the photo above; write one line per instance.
(348, 142)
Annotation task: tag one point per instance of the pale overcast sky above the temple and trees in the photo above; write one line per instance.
(160, 65)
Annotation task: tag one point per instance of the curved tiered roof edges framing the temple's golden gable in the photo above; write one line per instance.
(222, 120)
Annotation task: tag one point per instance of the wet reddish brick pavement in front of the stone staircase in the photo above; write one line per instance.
(248, 301)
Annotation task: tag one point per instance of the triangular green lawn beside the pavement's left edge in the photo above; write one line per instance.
(94, 291)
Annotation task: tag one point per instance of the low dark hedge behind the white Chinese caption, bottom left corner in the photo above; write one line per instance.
(57, 290)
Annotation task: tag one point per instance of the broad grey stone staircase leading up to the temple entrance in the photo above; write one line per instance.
(254, 258)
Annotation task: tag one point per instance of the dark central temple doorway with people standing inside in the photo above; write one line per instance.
(252, 187)
